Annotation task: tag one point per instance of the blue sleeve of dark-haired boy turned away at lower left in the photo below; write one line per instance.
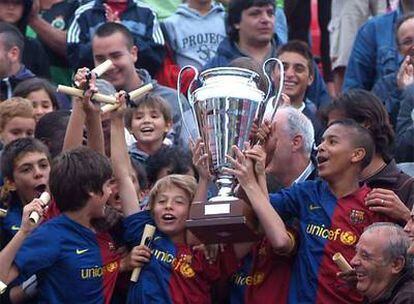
(39, 251)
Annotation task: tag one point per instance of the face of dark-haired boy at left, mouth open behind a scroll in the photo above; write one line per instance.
(31, 175)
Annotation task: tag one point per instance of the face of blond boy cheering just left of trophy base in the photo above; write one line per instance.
(170, 210)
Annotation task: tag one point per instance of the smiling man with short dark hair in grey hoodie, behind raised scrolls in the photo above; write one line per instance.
(114, 41)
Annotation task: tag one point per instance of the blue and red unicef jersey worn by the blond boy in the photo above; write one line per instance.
(175, 273)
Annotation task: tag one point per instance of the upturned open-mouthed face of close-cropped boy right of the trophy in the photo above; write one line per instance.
(336, 153)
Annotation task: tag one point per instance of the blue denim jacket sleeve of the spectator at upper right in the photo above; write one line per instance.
(360, 72)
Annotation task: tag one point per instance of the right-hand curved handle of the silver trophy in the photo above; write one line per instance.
(279, 91)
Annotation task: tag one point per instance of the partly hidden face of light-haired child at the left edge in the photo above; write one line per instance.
(17, 127)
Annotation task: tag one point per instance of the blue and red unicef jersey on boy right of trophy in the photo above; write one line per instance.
(327, 225)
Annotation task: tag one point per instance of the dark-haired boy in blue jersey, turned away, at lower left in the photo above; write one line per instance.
(64, 253)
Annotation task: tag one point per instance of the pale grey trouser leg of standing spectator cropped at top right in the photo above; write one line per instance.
(347, 17)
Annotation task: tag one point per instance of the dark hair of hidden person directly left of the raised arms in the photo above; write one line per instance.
(51, 129)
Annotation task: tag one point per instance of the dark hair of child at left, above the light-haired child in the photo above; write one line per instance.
(24, 88)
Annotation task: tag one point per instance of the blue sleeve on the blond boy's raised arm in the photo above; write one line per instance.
(134, 226)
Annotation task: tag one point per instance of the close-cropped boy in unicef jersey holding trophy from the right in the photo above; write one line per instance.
(331, 212)
